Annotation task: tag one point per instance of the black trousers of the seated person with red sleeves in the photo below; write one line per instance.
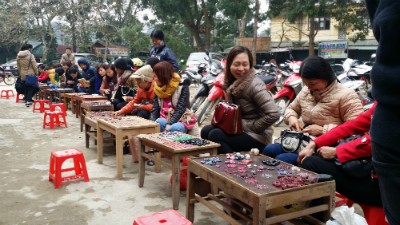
(360, 190)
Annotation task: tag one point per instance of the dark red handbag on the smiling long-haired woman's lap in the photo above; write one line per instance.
(227, 116)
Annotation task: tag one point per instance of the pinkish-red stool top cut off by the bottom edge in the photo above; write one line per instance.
(167, 217)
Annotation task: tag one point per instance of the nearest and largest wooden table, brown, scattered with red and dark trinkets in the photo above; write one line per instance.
(261, 199)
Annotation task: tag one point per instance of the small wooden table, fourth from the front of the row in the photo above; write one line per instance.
(90, 122)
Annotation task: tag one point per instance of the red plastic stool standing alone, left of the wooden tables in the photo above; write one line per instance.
(57, 158)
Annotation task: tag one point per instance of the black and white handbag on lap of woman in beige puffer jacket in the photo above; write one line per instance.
(293, 141)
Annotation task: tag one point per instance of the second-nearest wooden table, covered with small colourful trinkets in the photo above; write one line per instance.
(166, 144)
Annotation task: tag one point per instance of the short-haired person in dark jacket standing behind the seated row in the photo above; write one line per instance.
(161, 51)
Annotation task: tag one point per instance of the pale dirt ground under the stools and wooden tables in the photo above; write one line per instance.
(27, 197)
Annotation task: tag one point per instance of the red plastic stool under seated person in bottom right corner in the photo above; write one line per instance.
(373, 215)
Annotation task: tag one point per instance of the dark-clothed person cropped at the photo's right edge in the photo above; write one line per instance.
(385, 128)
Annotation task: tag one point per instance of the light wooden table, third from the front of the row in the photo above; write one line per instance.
(122, 127)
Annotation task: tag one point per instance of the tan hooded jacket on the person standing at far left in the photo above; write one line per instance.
(26, 64)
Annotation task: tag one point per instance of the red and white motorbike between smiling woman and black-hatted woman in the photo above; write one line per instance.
(291, 88)
